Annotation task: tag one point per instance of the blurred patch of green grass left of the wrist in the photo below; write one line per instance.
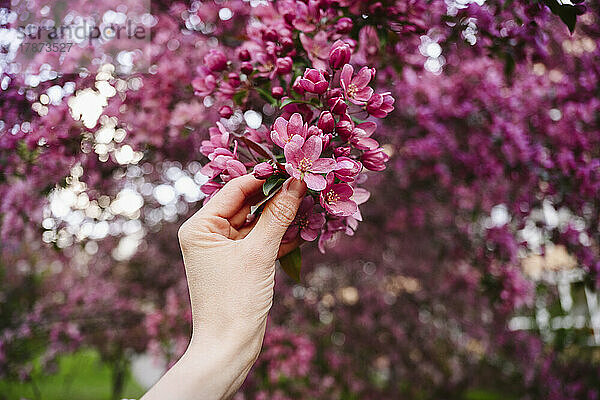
(81, 376)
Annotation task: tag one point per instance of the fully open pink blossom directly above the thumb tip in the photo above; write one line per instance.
(303, 161)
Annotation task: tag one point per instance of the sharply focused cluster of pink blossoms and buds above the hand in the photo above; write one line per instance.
(318, 139)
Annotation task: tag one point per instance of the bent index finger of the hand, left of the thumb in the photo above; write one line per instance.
(232, 196)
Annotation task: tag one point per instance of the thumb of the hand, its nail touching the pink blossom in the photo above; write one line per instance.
(278, 214)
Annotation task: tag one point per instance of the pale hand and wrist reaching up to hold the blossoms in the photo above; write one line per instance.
(230, 269)
